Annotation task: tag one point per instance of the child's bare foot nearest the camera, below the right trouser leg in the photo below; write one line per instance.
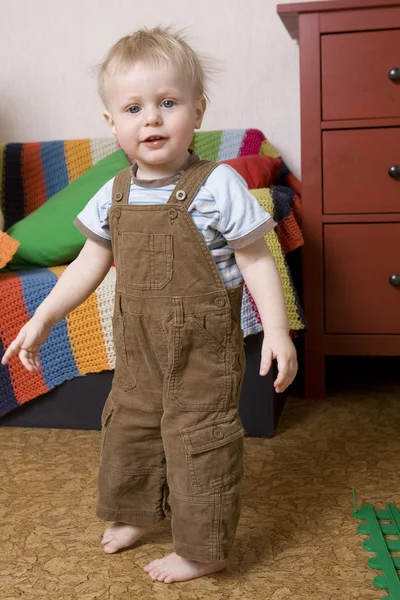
(176, 568)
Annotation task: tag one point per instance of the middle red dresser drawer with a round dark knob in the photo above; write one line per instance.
(356, 164)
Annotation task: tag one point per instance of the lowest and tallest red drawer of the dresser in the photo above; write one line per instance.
(359, 260)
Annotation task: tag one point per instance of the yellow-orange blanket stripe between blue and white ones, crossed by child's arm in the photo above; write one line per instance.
(85, 334)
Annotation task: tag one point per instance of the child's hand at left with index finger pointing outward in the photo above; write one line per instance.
(27, 344)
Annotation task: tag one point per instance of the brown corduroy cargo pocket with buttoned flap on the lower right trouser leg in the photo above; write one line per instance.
(214, 452)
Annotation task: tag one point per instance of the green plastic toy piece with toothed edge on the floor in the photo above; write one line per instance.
(377, 529)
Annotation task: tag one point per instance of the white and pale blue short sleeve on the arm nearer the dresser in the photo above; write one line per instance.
(242, 219)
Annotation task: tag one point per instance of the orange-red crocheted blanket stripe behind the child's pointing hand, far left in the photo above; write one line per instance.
(13, 316)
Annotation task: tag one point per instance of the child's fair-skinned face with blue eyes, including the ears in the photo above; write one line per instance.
(153, 113)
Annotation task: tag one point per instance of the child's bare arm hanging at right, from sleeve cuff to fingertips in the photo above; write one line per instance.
(258, 268)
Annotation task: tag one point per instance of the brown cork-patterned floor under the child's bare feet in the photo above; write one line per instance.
(296, 540)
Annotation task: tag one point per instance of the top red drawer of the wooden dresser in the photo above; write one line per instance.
(355, 75)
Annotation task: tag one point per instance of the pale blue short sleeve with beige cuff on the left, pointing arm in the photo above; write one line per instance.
(92, 221)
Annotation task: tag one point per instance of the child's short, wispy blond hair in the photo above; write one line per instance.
(158, 46)
